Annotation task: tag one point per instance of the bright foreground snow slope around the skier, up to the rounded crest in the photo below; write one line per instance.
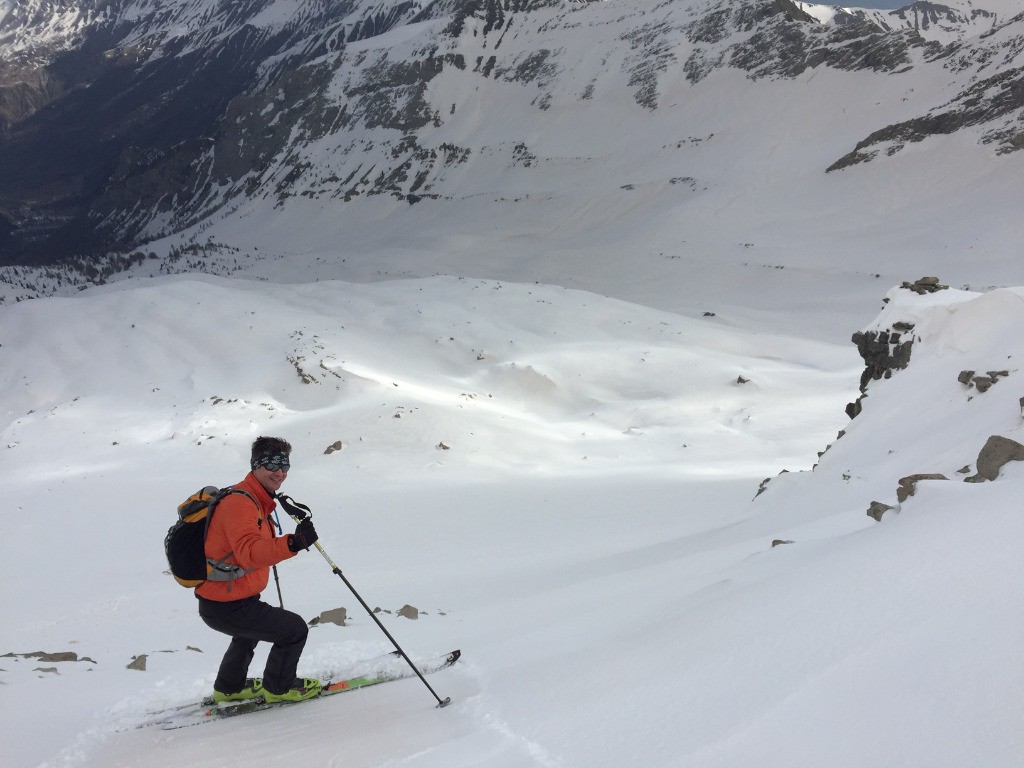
(590, 538)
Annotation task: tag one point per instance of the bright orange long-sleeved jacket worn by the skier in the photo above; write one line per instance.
(248, 535)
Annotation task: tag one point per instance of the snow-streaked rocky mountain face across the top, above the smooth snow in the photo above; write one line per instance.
(123, 121)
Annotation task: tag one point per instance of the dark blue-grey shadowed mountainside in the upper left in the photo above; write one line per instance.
(125, 116)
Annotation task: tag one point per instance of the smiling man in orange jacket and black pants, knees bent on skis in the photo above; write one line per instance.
(242, 533)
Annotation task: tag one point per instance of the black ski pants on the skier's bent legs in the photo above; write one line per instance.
(249, 622)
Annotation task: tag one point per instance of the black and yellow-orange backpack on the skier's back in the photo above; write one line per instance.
(186, 541)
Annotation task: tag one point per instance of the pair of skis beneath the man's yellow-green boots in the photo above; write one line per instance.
(206, 711)
